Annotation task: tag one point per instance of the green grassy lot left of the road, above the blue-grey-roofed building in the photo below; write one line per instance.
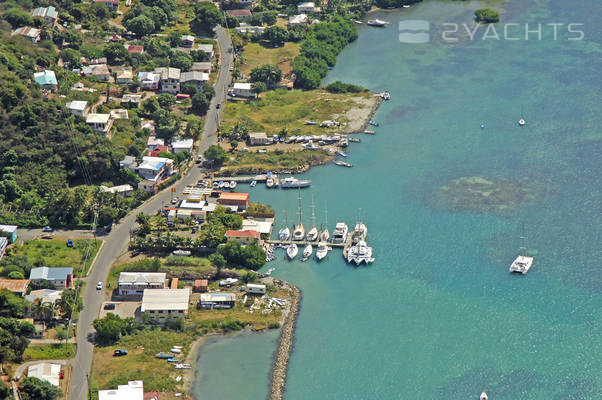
(55, 253)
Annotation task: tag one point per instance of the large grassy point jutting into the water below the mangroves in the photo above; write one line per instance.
(289, 109)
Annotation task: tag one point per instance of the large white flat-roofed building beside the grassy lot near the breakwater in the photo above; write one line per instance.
(161, 304)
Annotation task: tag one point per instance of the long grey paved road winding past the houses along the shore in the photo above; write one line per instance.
(117, 240)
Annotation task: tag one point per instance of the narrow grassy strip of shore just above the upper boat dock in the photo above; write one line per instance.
(276, 161)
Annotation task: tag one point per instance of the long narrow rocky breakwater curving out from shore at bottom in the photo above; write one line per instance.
(285, 344)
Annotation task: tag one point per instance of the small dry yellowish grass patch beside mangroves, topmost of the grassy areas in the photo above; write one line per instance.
(255, 54)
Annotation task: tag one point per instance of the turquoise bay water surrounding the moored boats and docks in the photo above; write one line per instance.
(437, 315)
